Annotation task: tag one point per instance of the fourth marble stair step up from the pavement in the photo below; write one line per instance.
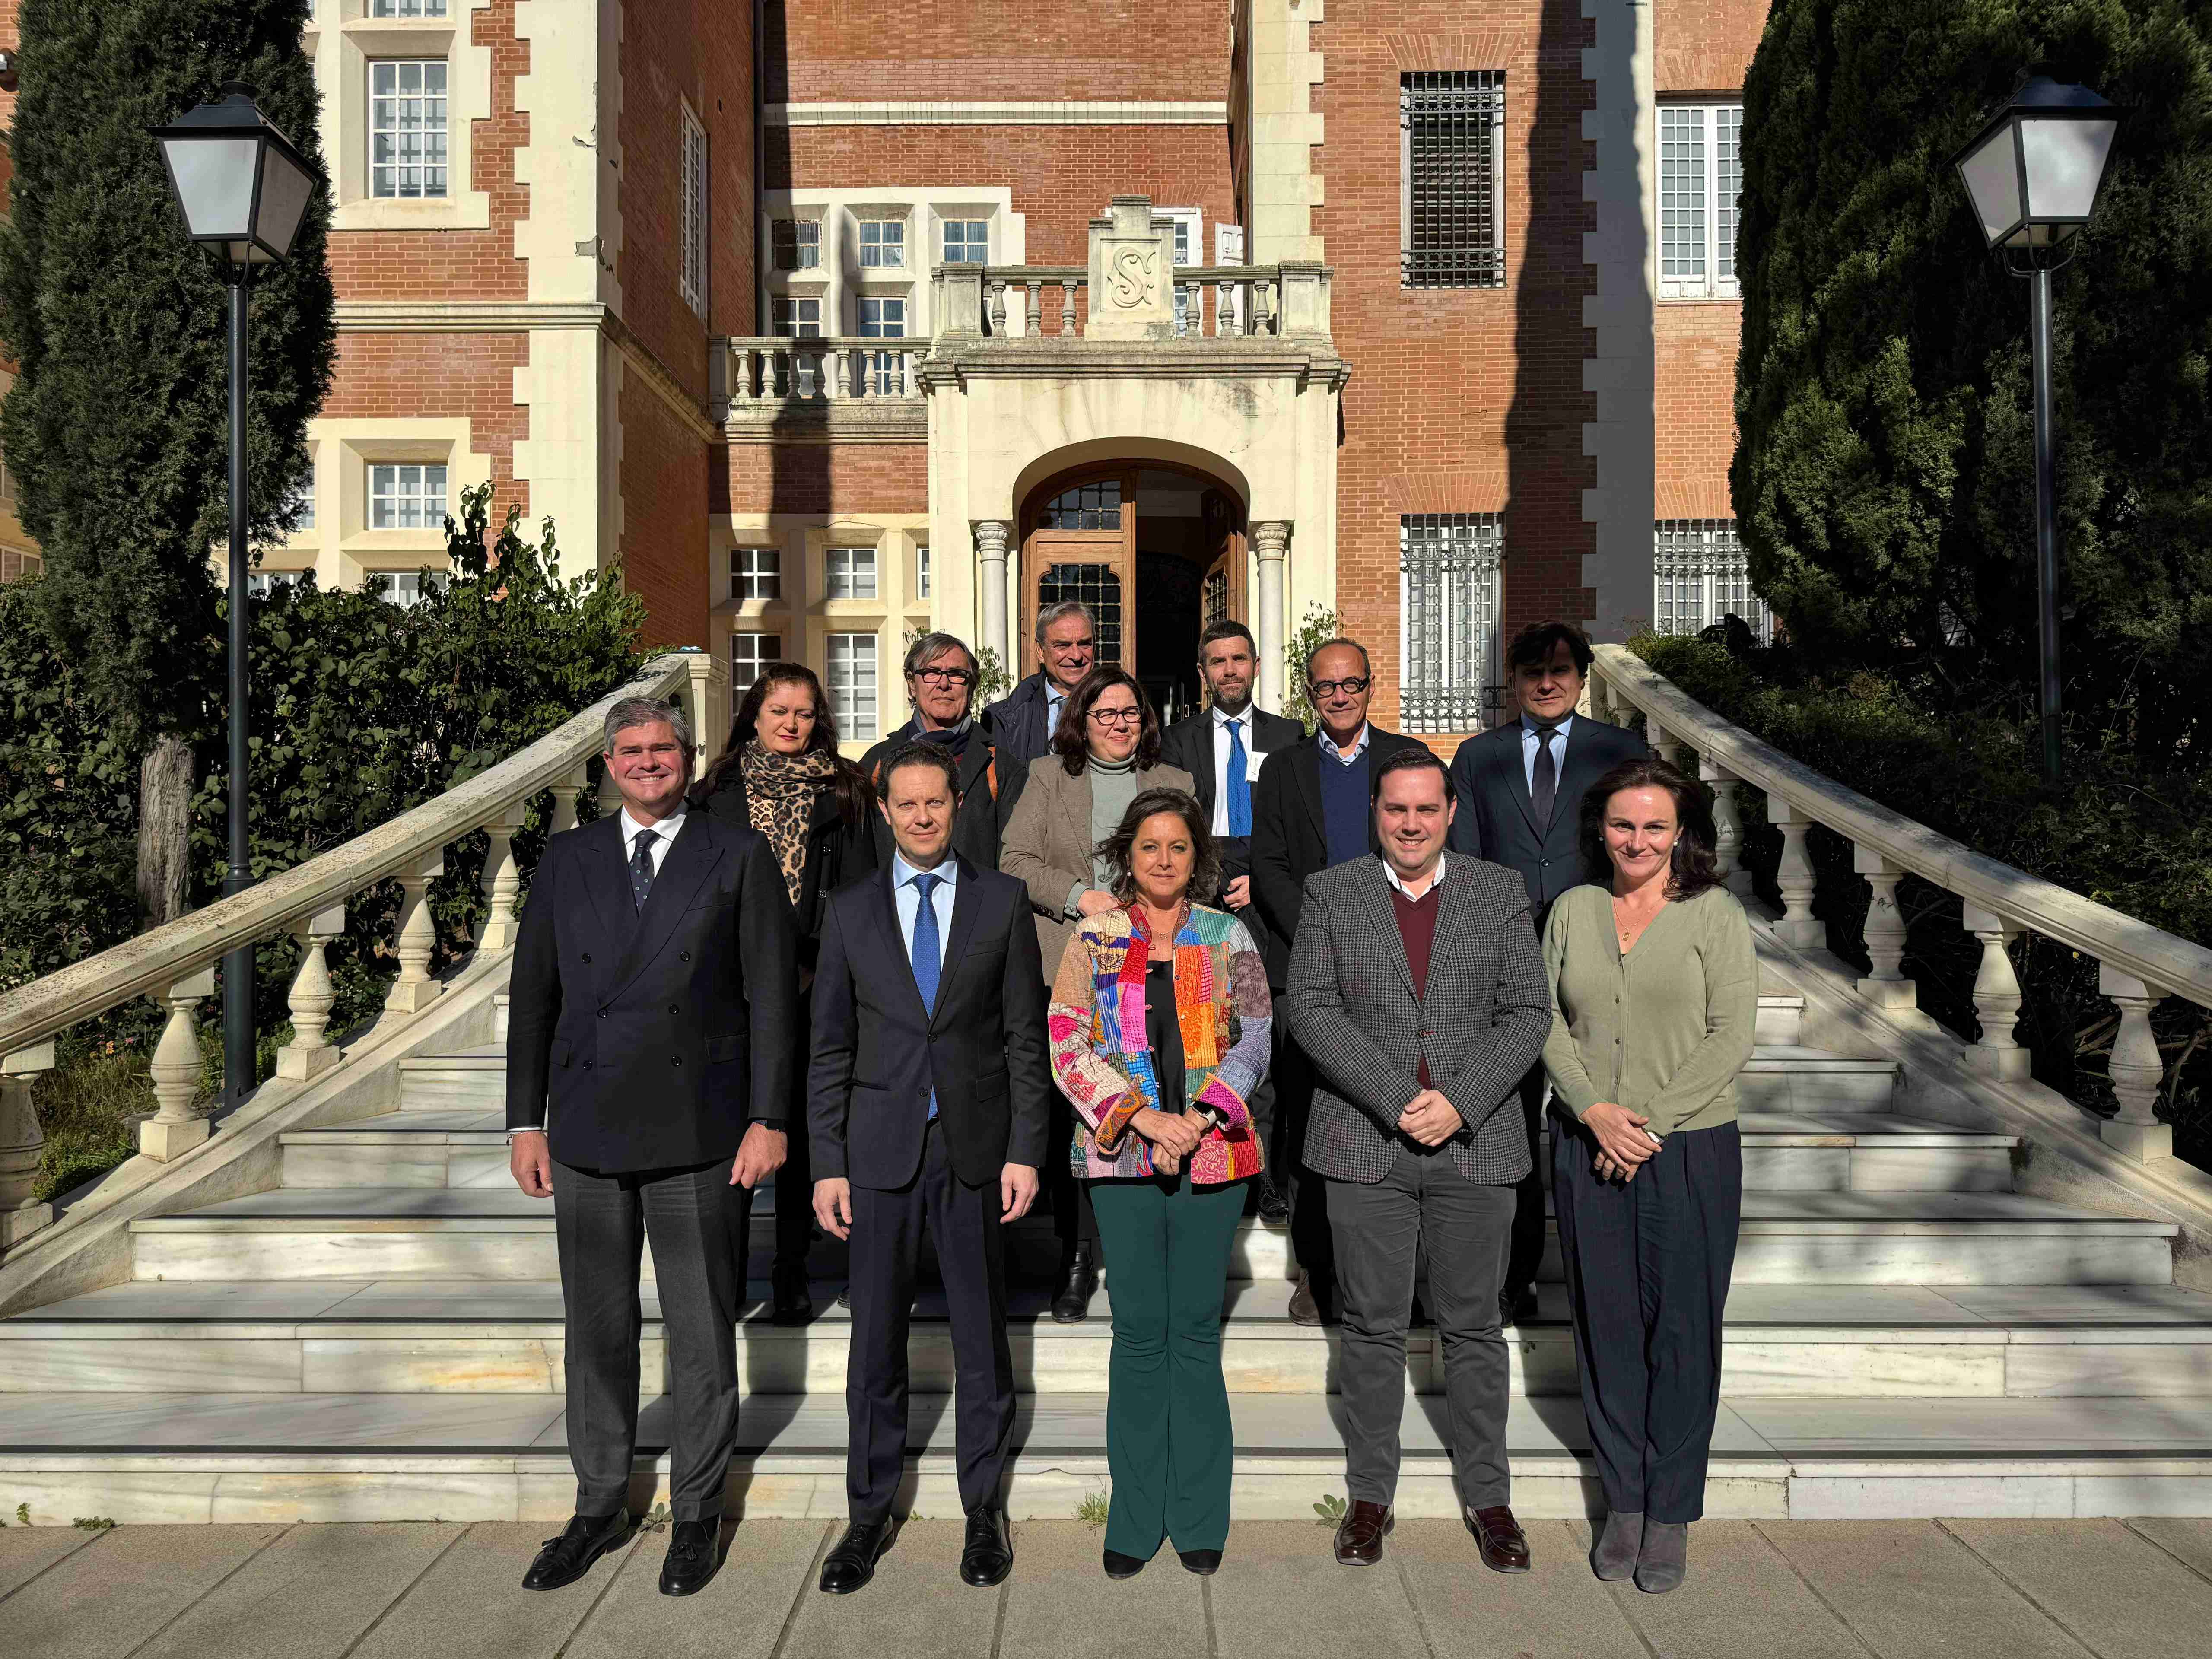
(1835, 1151)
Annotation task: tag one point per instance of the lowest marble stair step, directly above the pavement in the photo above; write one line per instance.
(401, 1457)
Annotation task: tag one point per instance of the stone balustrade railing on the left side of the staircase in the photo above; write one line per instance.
(174, 966)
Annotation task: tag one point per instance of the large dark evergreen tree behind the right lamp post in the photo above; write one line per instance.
(1886, 468)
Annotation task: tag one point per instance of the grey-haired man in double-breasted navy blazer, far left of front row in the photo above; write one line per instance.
(649, 1058)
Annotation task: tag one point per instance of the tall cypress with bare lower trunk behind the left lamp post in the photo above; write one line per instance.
(118, 424)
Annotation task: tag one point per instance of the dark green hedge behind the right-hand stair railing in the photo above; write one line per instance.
(2118, 833)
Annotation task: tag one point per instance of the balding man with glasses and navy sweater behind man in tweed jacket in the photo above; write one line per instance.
(1311, 811)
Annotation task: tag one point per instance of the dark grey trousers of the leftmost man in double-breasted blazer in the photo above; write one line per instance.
(698, 1224)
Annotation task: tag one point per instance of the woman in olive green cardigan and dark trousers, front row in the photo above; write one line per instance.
(1656, 992)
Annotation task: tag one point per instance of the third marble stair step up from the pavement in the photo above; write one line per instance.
(1788, 1238)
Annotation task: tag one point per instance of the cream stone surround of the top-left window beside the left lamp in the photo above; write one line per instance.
(342, 43)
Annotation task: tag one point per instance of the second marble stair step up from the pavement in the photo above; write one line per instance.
(413, 1337)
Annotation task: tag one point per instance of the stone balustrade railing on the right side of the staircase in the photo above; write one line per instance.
(2138, 963)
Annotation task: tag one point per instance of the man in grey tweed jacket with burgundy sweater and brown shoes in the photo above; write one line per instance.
(1419, 994)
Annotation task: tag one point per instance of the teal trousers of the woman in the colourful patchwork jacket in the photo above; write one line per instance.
(1169, 1439)
